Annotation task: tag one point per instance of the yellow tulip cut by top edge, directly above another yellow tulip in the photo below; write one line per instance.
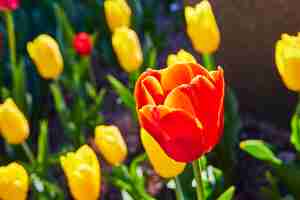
(117, 13)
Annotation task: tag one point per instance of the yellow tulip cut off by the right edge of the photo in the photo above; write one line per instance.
(287, 56)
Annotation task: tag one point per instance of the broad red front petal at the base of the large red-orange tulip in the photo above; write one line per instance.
(176, 131)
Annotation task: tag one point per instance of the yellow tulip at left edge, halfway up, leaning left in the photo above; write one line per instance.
(13, 124)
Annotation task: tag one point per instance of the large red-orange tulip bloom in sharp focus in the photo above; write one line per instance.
(182, 108)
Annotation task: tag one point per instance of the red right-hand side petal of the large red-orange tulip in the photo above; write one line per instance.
(207, 100)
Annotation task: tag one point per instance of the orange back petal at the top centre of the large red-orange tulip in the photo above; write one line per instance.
(175, 75)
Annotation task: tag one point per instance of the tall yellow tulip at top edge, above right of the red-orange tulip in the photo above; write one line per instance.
(202, 27)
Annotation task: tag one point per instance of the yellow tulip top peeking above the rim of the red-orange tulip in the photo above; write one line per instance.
(181, 57)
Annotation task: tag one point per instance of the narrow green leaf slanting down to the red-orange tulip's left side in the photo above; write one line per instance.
(123, 92)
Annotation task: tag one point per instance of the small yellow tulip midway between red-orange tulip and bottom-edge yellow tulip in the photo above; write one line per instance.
(111, 144)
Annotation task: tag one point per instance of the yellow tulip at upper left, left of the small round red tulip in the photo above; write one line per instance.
(45, 53)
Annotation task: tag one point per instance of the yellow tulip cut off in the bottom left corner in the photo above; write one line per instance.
(14, 182)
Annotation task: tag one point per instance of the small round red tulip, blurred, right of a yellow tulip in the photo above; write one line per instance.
(82, 44)
